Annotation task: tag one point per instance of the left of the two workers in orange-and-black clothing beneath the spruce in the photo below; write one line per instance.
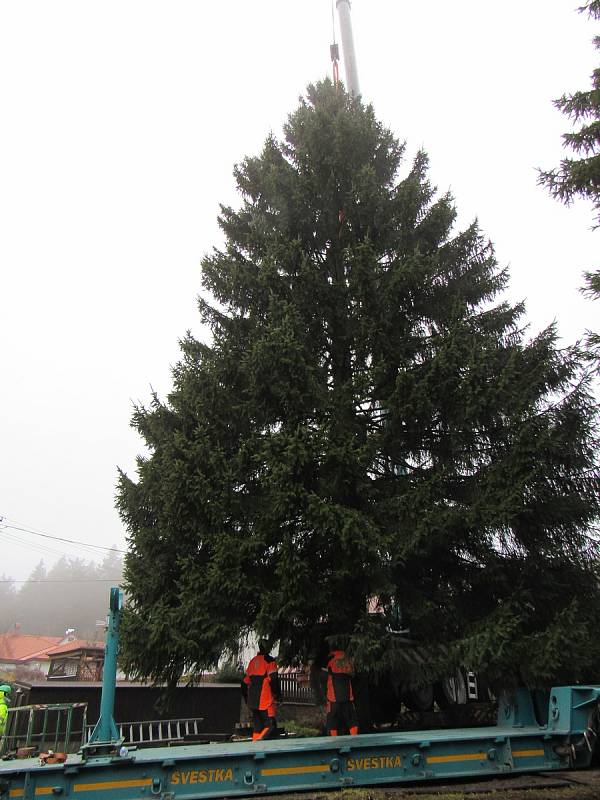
(261, 691)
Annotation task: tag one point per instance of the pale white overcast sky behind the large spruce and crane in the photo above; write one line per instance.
(122, 121)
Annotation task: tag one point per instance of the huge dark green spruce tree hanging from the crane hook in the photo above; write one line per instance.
(369, 421)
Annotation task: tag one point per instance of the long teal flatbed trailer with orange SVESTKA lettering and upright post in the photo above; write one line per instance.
(106, 769)
